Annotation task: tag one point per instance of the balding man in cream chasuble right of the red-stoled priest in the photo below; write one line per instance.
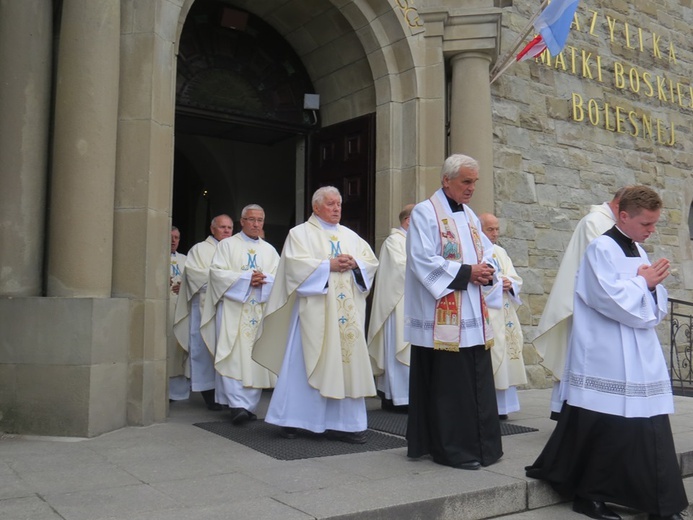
(503, 299)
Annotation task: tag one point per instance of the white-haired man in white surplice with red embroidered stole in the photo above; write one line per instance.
(453, 414)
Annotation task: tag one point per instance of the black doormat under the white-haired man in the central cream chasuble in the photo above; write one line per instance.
(265, 438)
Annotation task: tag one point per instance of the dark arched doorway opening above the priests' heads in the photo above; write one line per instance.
(240, 122)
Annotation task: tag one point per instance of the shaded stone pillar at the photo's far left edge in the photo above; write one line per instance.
(25, 88)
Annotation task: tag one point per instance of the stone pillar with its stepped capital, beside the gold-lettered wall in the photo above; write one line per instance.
(469, 39)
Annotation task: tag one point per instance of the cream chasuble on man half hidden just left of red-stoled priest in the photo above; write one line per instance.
(388, 302)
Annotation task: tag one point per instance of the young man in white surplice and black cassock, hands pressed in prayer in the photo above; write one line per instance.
(613, 441)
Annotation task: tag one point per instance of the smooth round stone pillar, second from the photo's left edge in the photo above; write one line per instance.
(80, 247)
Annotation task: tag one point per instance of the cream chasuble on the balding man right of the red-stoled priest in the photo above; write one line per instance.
(506, 353)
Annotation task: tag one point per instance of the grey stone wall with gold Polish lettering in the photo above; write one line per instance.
(553, 161)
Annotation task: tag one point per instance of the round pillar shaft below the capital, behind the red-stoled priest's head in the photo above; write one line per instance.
(471, 131)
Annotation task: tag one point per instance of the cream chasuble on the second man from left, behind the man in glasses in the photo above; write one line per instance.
(194, 281)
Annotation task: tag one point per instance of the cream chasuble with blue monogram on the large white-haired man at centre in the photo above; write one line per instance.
(331, 324)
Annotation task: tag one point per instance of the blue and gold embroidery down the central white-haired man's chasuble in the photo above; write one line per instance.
(346, 309)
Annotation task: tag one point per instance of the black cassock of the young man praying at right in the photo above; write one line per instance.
(629, 461)
